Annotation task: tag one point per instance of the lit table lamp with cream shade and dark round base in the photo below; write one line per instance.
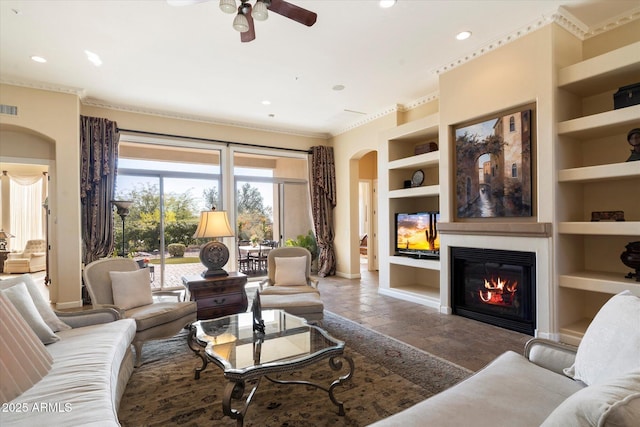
(214, 255)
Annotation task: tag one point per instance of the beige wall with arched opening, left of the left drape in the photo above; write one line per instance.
(55, 118)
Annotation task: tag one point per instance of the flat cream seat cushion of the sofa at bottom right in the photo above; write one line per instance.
(510, 391)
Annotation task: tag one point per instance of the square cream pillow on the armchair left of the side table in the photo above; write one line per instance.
(131, 289)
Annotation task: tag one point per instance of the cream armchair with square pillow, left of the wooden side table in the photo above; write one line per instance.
(121, 284)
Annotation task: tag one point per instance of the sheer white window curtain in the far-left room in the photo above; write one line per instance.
(26, 194)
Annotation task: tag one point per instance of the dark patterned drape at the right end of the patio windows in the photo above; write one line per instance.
(323, 201)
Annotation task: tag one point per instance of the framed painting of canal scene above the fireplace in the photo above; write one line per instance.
(493, 167)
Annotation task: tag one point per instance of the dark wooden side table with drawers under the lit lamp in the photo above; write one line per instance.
(218, 296)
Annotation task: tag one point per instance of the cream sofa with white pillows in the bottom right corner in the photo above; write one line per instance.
(552, 385)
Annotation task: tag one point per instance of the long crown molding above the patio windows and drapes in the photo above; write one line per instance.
(93, 102)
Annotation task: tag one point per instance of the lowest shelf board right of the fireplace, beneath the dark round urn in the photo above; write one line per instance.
(594, 281)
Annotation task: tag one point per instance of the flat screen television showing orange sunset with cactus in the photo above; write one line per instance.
(417, 235)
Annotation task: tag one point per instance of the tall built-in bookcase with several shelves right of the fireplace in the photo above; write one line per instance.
(588, 87)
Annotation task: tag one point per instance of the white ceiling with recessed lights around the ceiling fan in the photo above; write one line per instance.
(188, 61)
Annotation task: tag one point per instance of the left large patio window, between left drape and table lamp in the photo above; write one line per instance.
(169, 187)
